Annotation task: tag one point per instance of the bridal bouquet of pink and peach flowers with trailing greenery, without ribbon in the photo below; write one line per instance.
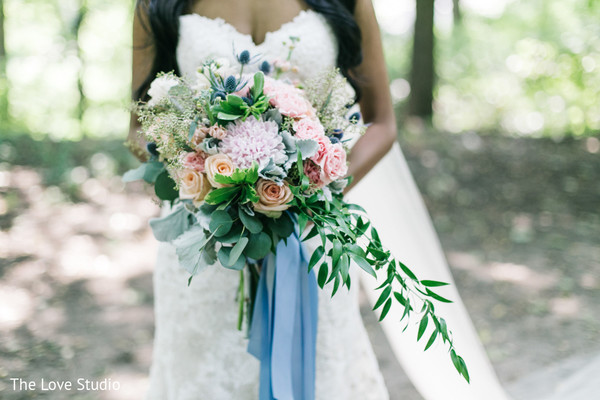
(249, 161)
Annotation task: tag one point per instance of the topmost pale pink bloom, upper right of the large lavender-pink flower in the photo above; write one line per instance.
(288, 99)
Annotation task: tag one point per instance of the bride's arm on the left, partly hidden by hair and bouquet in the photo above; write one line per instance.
(143, 57)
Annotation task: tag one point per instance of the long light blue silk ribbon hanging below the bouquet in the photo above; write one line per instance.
(283, 334)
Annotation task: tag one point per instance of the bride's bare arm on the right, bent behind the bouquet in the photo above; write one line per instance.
(376, 103)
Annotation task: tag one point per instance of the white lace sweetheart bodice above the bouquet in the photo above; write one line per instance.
(203, 38)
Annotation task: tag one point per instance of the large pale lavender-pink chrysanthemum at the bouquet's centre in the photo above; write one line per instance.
(253, 140)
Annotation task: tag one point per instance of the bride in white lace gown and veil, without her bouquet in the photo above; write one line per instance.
(198, 353)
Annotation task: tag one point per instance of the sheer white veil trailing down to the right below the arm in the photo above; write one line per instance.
(393, 202)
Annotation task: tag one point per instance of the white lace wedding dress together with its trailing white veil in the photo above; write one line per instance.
(198, 352)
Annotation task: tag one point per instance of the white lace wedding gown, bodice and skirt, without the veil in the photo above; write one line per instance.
(198, 352)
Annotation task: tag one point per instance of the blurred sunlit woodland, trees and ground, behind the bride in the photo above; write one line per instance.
(499, 118)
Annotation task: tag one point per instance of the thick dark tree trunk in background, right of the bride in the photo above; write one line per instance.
(423, 71)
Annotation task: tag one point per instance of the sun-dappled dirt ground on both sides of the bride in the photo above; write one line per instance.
(519, 221)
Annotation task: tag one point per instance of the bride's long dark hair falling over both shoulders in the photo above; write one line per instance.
(163, 20)
